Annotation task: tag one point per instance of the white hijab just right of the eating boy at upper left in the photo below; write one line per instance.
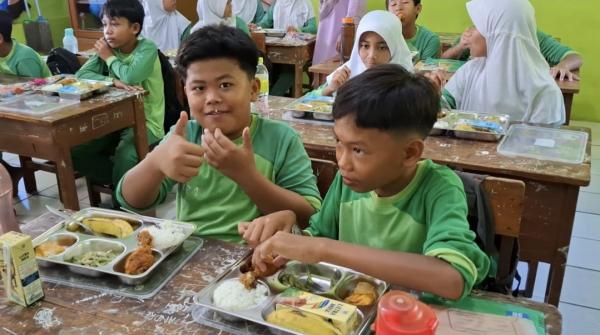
(162, 27)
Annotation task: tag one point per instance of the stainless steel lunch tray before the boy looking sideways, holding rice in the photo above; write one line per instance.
(342, 277)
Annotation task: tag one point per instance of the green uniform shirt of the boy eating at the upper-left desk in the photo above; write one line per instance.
(142, 68)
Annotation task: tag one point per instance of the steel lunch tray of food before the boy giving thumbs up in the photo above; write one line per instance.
(103, 254)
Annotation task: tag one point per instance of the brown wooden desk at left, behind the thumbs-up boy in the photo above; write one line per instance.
(51, 137)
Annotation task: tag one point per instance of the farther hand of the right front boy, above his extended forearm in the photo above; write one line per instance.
(262, 228)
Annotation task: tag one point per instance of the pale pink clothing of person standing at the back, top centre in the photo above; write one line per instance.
(330, 26)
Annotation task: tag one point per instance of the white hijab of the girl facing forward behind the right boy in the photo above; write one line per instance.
(389, 27)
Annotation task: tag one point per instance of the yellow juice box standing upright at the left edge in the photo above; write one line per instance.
(19, 269)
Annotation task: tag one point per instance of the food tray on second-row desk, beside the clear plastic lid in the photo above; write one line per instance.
(474, 126)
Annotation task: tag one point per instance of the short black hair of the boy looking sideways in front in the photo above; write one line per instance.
(389, 98)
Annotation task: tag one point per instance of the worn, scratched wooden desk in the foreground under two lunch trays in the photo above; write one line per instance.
(77, 311)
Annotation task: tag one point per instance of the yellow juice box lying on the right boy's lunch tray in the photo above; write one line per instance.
(342, 316)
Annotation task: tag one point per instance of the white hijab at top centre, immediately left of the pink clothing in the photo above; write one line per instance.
(291, 15)
